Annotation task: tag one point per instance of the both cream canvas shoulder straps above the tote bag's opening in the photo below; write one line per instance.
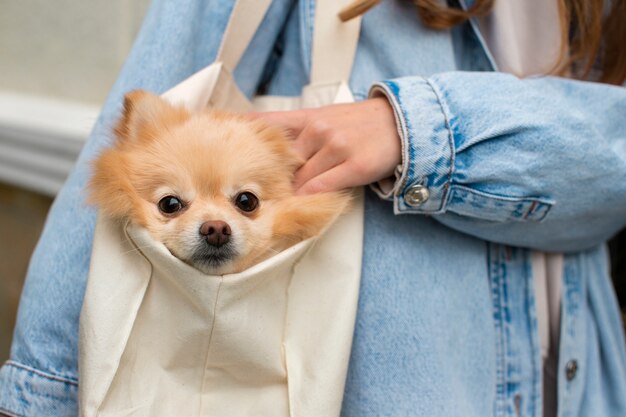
(334, 42)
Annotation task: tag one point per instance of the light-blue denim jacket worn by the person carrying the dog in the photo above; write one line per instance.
(493, 167)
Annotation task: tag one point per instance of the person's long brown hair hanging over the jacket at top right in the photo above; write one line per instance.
(591, 39)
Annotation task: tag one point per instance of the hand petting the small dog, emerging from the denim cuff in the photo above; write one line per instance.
(343, 145)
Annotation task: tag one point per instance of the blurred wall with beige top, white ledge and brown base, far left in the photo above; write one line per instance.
(58, 60)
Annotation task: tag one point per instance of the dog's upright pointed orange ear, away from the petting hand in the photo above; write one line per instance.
(143, 114)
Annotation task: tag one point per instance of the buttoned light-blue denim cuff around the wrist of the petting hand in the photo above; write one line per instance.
(423, 181)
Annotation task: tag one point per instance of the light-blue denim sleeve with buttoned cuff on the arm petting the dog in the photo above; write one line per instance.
(536, 162)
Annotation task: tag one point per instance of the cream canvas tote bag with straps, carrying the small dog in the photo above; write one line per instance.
(159, 338)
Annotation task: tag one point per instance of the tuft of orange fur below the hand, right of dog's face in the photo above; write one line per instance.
(301, 217)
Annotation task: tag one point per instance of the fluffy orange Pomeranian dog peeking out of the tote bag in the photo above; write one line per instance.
(215, 188)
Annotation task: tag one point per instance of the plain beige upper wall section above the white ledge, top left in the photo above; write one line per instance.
(66, 48)
